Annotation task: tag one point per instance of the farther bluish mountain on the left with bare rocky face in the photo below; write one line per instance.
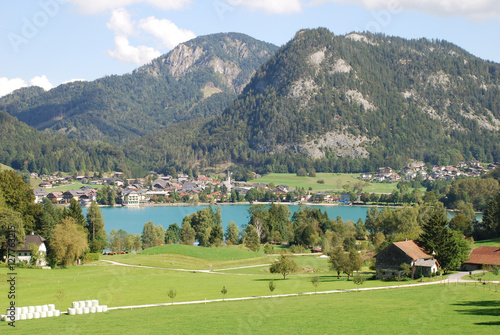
(198, 79)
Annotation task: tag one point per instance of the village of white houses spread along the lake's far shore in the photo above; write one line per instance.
(158, 188)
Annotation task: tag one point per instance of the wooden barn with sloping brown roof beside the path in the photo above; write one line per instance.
(389, 260)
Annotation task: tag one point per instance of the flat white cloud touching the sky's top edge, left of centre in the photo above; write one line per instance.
(98, 6)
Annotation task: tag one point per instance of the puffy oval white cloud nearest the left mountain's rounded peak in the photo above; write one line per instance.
(169, 34)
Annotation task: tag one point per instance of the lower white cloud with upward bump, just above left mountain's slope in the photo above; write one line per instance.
(126, 53)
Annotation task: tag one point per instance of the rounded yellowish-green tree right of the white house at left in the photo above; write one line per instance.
(69, 242)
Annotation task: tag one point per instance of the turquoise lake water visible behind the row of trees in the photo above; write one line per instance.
(132, 220)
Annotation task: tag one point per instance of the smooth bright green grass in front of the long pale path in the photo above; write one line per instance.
(439, 309)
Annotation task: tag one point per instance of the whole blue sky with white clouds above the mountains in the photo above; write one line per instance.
(49, 42)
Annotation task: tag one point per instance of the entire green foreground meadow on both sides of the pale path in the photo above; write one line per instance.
(432, 309)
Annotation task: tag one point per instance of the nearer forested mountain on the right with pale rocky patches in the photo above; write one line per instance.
(352, 103)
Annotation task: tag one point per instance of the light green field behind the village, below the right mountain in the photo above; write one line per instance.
(333, 181)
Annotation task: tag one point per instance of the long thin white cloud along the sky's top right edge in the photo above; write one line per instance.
(470, 9)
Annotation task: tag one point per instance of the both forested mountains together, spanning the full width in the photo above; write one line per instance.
(335, 103)
